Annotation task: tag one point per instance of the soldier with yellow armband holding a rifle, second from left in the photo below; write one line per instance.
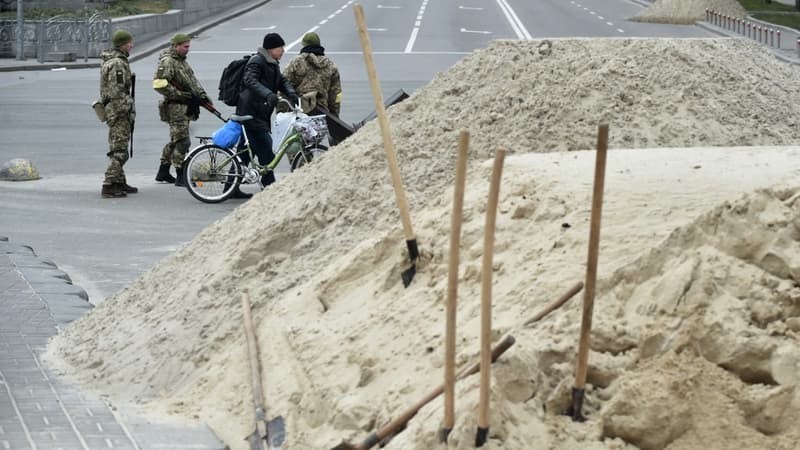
(175, 80)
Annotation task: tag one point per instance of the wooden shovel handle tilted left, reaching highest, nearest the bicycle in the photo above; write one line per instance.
(388, 146)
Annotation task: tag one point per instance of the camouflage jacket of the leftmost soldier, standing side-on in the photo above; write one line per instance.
(115, 85)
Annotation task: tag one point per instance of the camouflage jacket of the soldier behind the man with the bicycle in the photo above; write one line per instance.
(312, 71)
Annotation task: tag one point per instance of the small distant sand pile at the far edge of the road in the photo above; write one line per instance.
(688, 11)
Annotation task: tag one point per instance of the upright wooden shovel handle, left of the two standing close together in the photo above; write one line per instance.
(452, 281)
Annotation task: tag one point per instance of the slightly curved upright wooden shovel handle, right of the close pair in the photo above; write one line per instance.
(486, 288)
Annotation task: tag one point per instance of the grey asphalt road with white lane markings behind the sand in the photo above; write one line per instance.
(105, 244)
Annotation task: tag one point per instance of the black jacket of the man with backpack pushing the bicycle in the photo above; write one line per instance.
(262, 77)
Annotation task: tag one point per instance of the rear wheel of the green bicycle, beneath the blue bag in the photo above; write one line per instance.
(212, 173)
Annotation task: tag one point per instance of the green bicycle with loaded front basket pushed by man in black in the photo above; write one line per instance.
(213, 173)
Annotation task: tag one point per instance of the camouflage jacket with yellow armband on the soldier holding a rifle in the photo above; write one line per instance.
(175, 80)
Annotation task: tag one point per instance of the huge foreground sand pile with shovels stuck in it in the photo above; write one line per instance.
(691, 292)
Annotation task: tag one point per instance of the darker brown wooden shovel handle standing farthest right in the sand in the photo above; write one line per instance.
(591, 265)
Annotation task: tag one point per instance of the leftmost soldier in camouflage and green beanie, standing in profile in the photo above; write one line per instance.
(115, 95)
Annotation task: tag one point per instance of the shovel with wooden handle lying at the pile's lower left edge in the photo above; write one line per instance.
(267, 435)
